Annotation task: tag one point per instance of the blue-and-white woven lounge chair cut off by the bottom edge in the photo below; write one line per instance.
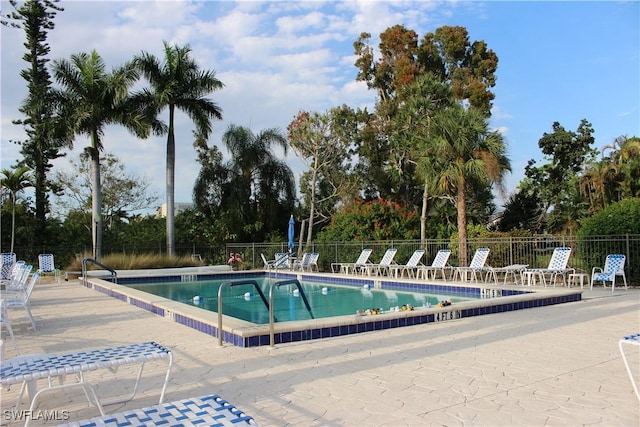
(211, 410)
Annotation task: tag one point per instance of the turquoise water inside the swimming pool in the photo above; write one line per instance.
(325, 300)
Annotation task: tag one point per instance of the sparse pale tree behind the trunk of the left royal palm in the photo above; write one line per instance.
(122, 192)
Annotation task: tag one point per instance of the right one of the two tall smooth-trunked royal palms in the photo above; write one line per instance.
(178, 83)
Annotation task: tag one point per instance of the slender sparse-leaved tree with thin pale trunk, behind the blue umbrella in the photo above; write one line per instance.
(322, 142)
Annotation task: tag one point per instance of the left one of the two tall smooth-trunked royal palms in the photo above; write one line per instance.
(90, 98)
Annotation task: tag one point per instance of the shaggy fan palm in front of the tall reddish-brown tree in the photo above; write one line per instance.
(466, 151)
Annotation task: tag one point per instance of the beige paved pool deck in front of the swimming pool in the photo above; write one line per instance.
(550, 366)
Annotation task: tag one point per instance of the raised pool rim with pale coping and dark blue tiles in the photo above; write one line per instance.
(525, 299)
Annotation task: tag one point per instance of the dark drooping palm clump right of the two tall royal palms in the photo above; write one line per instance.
(260, 183)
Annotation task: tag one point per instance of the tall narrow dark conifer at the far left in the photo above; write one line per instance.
(43, 142)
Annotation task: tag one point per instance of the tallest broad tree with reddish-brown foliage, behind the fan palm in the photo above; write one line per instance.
(468, 68)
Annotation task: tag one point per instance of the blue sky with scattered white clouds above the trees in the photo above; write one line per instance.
(558, 62)
